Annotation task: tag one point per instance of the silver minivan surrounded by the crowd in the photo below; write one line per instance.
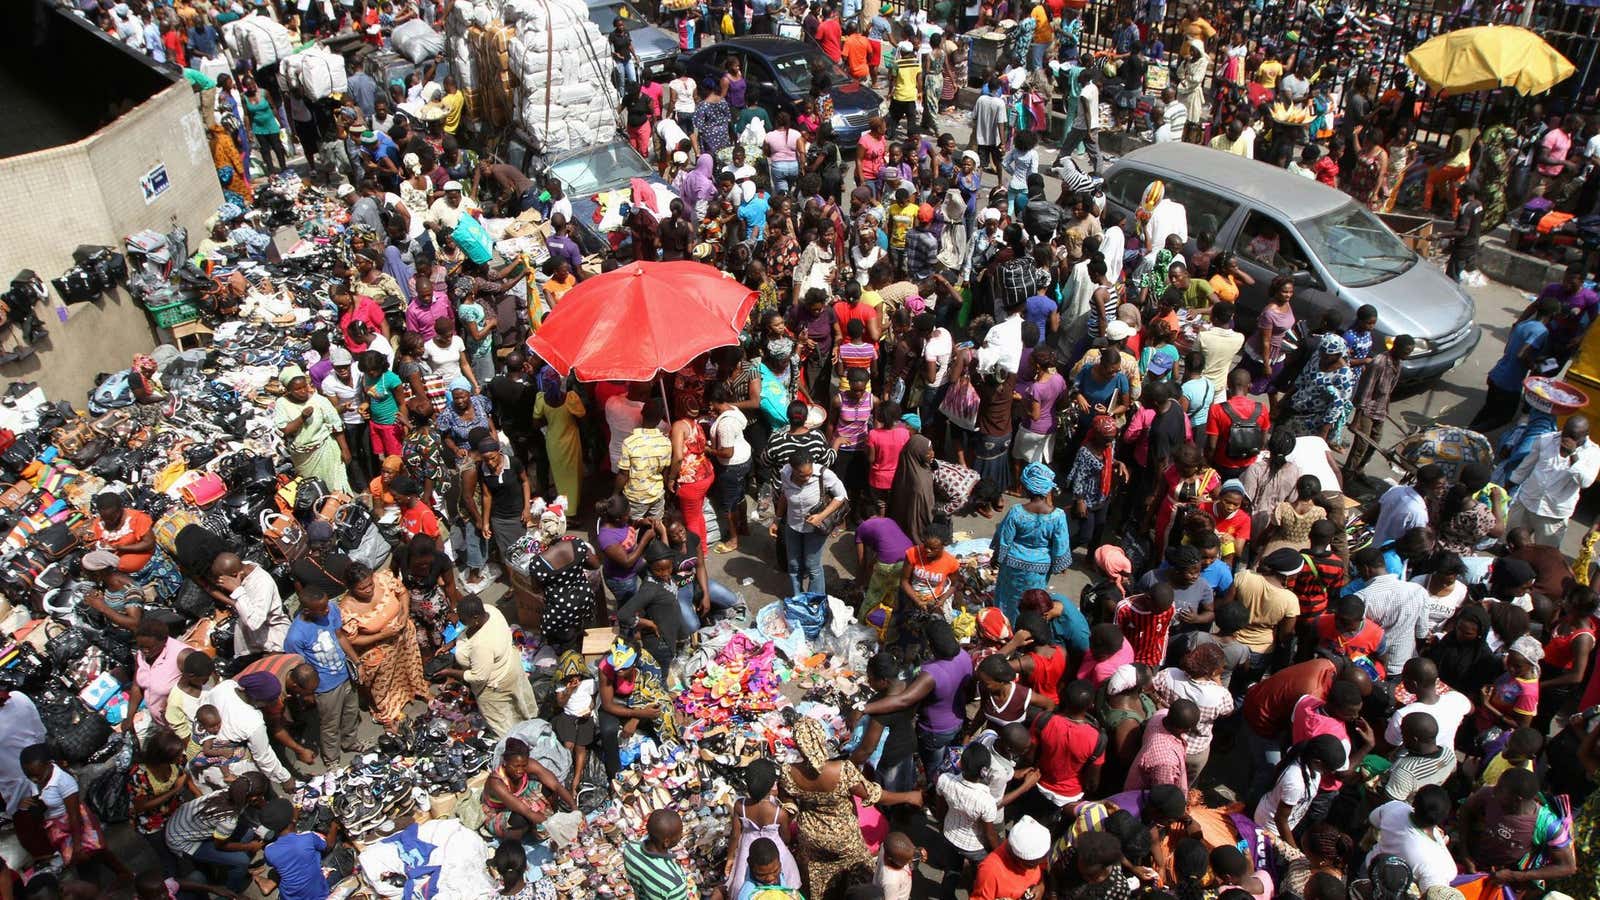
(1340, 255)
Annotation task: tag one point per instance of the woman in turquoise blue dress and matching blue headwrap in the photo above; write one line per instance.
(1031, 544)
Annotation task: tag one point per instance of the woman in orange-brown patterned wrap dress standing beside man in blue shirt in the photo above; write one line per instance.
(383, 641)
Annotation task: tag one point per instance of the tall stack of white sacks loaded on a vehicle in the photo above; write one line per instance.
(561, 68)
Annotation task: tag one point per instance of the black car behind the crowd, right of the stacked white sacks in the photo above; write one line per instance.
(780, 71)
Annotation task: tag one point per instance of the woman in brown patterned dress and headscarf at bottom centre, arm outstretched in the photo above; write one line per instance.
(830, 846)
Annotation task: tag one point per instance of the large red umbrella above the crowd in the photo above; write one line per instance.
(639, 321)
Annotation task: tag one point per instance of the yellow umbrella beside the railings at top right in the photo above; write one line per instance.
(1490, 57)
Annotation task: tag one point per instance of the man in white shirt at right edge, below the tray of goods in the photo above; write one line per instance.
(1550, 480)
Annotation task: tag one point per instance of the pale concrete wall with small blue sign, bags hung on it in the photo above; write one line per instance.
(89, 193)
